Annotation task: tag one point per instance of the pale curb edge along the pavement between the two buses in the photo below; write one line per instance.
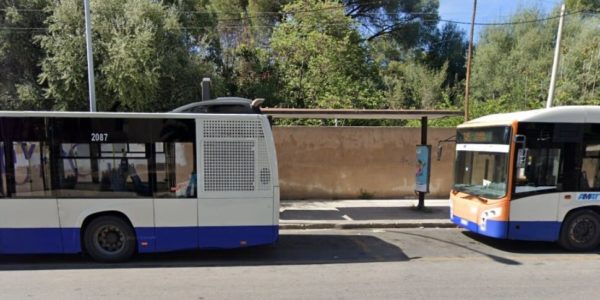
(308, 226)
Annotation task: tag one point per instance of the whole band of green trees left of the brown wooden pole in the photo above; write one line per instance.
(152, 55)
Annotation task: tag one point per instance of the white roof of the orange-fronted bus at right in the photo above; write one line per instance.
(558, 114)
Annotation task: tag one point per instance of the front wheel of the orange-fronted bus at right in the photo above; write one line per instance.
(580, 231)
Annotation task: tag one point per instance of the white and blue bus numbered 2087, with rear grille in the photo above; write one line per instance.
(113, 184)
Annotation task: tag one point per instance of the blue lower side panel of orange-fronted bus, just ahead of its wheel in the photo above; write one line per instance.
(534, 230)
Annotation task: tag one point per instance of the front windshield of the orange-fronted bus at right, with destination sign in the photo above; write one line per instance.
(481, 166)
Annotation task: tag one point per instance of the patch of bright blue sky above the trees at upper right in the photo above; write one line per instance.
(488, 11)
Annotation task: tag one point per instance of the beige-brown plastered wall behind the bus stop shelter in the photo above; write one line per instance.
(339, 162)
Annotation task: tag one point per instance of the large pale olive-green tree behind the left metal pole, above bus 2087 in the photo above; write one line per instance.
(142, 62)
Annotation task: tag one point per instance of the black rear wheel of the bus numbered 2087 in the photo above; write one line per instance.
(109, 239)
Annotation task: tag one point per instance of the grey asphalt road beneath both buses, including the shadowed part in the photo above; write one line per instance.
(321, 264)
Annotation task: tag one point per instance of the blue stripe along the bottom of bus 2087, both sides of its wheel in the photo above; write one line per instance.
(162, 239)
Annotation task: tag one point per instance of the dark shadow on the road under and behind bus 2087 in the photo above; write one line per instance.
(290, 250)
